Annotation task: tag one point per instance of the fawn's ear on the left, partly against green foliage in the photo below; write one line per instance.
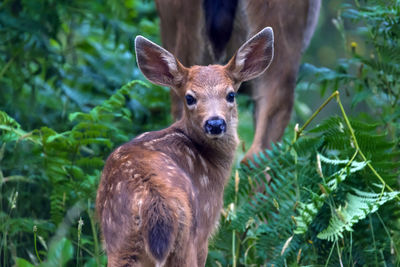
(158, 65)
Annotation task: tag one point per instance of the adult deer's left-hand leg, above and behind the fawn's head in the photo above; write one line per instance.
(181, 25)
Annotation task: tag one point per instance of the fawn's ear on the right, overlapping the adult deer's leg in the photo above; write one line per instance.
(253, 57)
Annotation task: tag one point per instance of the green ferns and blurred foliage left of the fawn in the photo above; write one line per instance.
(61, 113)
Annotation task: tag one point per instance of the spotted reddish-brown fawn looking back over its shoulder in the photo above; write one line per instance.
(160, 195)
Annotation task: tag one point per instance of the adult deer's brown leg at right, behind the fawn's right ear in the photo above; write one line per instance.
(274, 91)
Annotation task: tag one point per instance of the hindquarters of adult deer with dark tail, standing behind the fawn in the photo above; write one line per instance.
(205, 31)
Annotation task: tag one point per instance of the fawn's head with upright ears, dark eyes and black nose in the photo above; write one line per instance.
(208, 92)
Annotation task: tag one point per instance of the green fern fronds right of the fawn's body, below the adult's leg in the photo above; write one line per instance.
(314, 201)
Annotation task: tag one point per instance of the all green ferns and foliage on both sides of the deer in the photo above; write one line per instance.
(327, 195)
